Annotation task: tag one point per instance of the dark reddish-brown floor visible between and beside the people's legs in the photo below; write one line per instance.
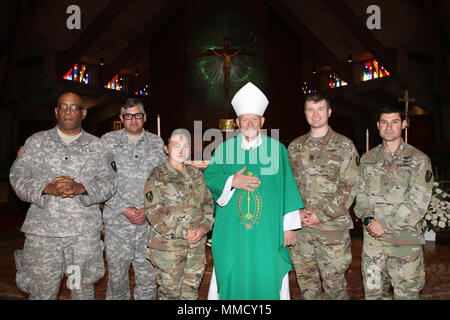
(437, 260)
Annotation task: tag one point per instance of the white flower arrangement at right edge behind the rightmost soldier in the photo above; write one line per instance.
(438, 212)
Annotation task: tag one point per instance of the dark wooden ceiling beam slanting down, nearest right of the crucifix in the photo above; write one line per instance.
(343, 69)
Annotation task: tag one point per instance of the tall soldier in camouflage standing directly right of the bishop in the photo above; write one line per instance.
(326, 167)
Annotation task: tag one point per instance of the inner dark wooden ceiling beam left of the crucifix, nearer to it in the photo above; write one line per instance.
(140, 41)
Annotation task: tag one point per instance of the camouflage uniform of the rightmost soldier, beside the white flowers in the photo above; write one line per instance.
(395, 189)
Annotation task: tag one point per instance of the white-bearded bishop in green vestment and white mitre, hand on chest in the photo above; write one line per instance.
(257, 206)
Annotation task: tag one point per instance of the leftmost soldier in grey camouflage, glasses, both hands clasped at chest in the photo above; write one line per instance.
(64, 173)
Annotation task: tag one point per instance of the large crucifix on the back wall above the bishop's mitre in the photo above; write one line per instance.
(226, 53)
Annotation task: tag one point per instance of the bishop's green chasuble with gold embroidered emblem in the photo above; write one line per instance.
(248, 237)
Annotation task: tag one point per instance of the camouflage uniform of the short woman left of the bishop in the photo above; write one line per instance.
(174, 203)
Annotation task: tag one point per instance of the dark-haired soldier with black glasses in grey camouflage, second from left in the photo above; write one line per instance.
(136, 153)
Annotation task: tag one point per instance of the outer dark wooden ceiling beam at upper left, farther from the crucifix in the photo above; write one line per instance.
(66, 59)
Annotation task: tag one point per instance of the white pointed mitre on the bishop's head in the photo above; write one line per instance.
(249, 99)
